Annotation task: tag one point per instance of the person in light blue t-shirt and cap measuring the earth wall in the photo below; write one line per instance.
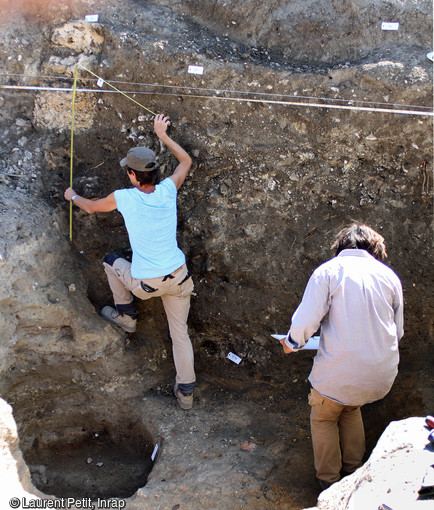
(158, 266)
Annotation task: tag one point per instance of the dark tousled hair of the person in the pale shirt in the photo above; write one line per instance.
(358, 235)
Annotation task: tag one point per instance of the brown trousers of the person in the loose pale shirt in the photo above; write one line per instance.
(338, 437)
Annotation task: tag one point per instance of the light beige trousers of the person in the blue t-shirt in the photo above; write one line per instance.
(176, 302)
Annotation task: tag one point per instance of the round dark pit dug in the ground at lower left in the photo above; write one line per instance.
(95, 460)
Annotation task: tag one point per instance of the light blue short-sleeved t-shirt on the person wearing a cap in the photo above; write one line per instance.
(151, 221)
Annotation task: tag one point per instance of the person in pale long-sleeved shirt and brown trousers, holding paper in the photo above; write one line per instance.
(356, 301)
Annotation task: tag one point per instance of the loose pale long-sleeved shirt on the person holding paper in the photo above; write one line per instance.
(357, 301)
